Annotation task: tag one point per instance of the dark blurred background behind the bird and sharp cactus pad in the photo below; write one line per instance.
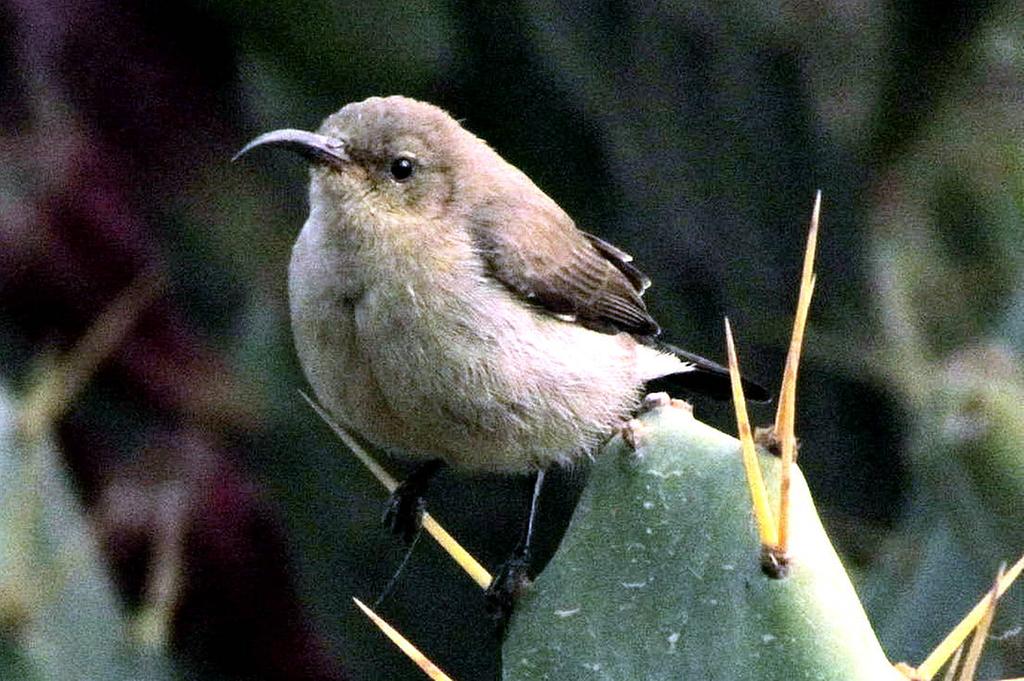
(693, 136)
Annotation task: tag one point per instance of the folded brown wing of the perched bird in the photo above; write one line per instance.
(536, 250)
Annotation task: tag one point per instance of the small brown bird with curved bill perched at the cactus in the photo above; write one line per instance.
(447, 310)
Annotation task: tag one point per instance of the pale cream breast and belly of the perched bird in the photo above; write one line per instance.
(457, 370)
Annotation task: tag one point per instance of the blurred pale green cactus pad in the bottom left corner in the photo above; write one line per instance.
(60, 615)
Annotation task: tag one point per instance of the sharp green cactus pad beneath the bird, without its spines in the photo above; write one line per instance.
(660, 577)
